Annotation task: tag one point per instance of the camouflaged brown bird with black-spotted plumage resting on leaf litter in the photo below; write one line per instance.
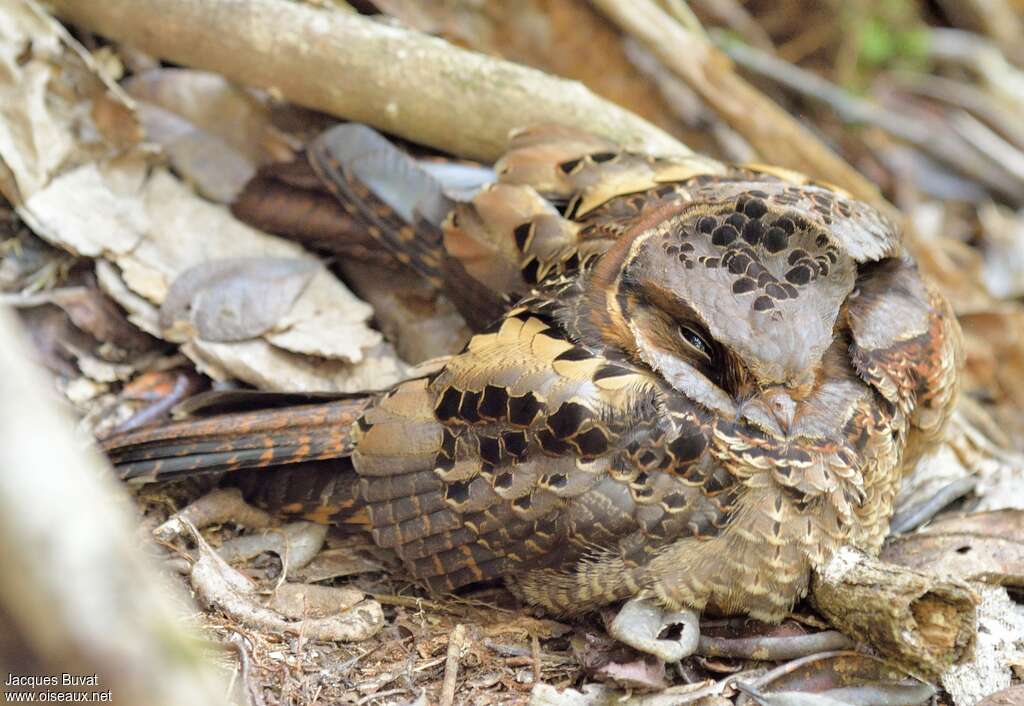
(710, 379)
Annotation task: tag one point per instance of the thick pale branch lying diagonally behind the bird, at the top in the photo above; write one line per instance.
(397, 80)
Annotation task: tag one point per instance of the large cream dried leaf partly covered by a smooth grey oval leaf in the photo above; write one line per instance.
(328, 320)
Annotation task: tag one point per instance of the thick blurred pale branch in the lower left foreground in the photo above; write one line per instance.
(76, 595)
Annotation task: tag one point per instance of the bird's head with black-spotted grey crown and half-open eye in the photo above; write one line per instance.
(735, 299)
